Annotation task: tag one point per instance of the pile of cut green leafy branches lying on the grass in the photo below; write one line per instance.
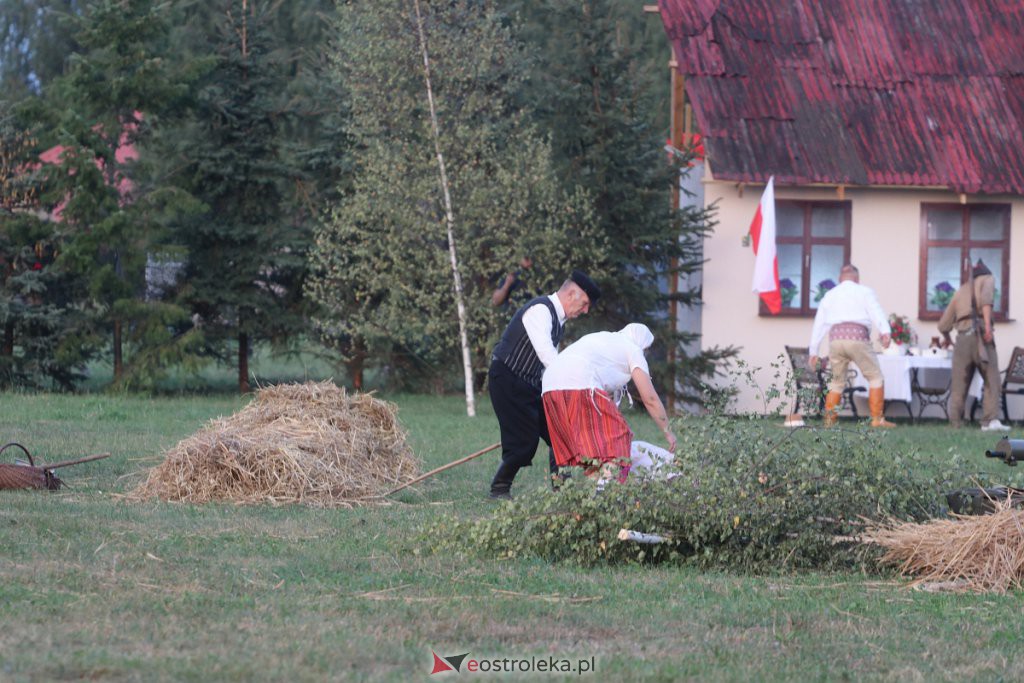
(747, 497)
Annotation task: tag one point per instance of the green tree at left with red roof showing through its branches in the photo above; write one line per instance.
(103, 110)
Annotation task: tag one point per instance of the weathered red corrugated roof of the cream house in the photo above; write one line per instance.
(867, 93)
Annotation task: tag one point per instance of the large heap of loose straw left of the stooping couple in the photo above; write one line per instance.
(310, 444)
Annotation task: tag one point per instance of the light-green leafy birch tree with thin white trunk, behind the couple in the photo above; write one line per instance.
(382, 271)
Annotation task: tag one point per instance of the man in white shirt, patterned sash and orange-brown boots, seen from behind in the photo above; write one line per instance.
(847, 314)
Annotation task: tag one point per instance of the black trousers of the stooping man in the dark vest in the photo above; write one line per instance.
(521, 415)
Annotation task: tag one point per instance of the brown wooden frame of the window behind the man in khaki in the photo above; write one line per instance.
(965, 244)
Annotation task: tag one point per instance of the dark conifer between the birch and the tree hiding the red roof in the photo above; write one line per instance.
(247, 251)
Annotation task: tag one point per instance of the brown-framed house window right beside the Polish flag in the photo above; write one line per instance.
(813, 240)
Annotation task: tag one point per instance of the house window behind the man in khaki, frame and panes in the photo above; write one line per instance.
(953, 238)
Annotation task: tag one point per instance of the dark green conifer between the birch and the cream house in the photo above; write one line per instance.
(601, 88)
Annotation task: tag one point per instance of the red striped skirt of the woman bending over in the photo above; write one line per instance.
(586, 429)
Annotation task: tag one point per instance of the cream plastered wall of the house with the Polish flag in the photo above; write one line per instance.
(885, 244)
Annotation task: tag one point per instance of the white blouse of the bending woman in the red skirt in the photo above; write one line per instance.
(601, 361)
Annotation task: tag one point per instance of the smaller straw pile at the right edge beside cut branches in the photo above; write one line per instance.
(979, 553)
